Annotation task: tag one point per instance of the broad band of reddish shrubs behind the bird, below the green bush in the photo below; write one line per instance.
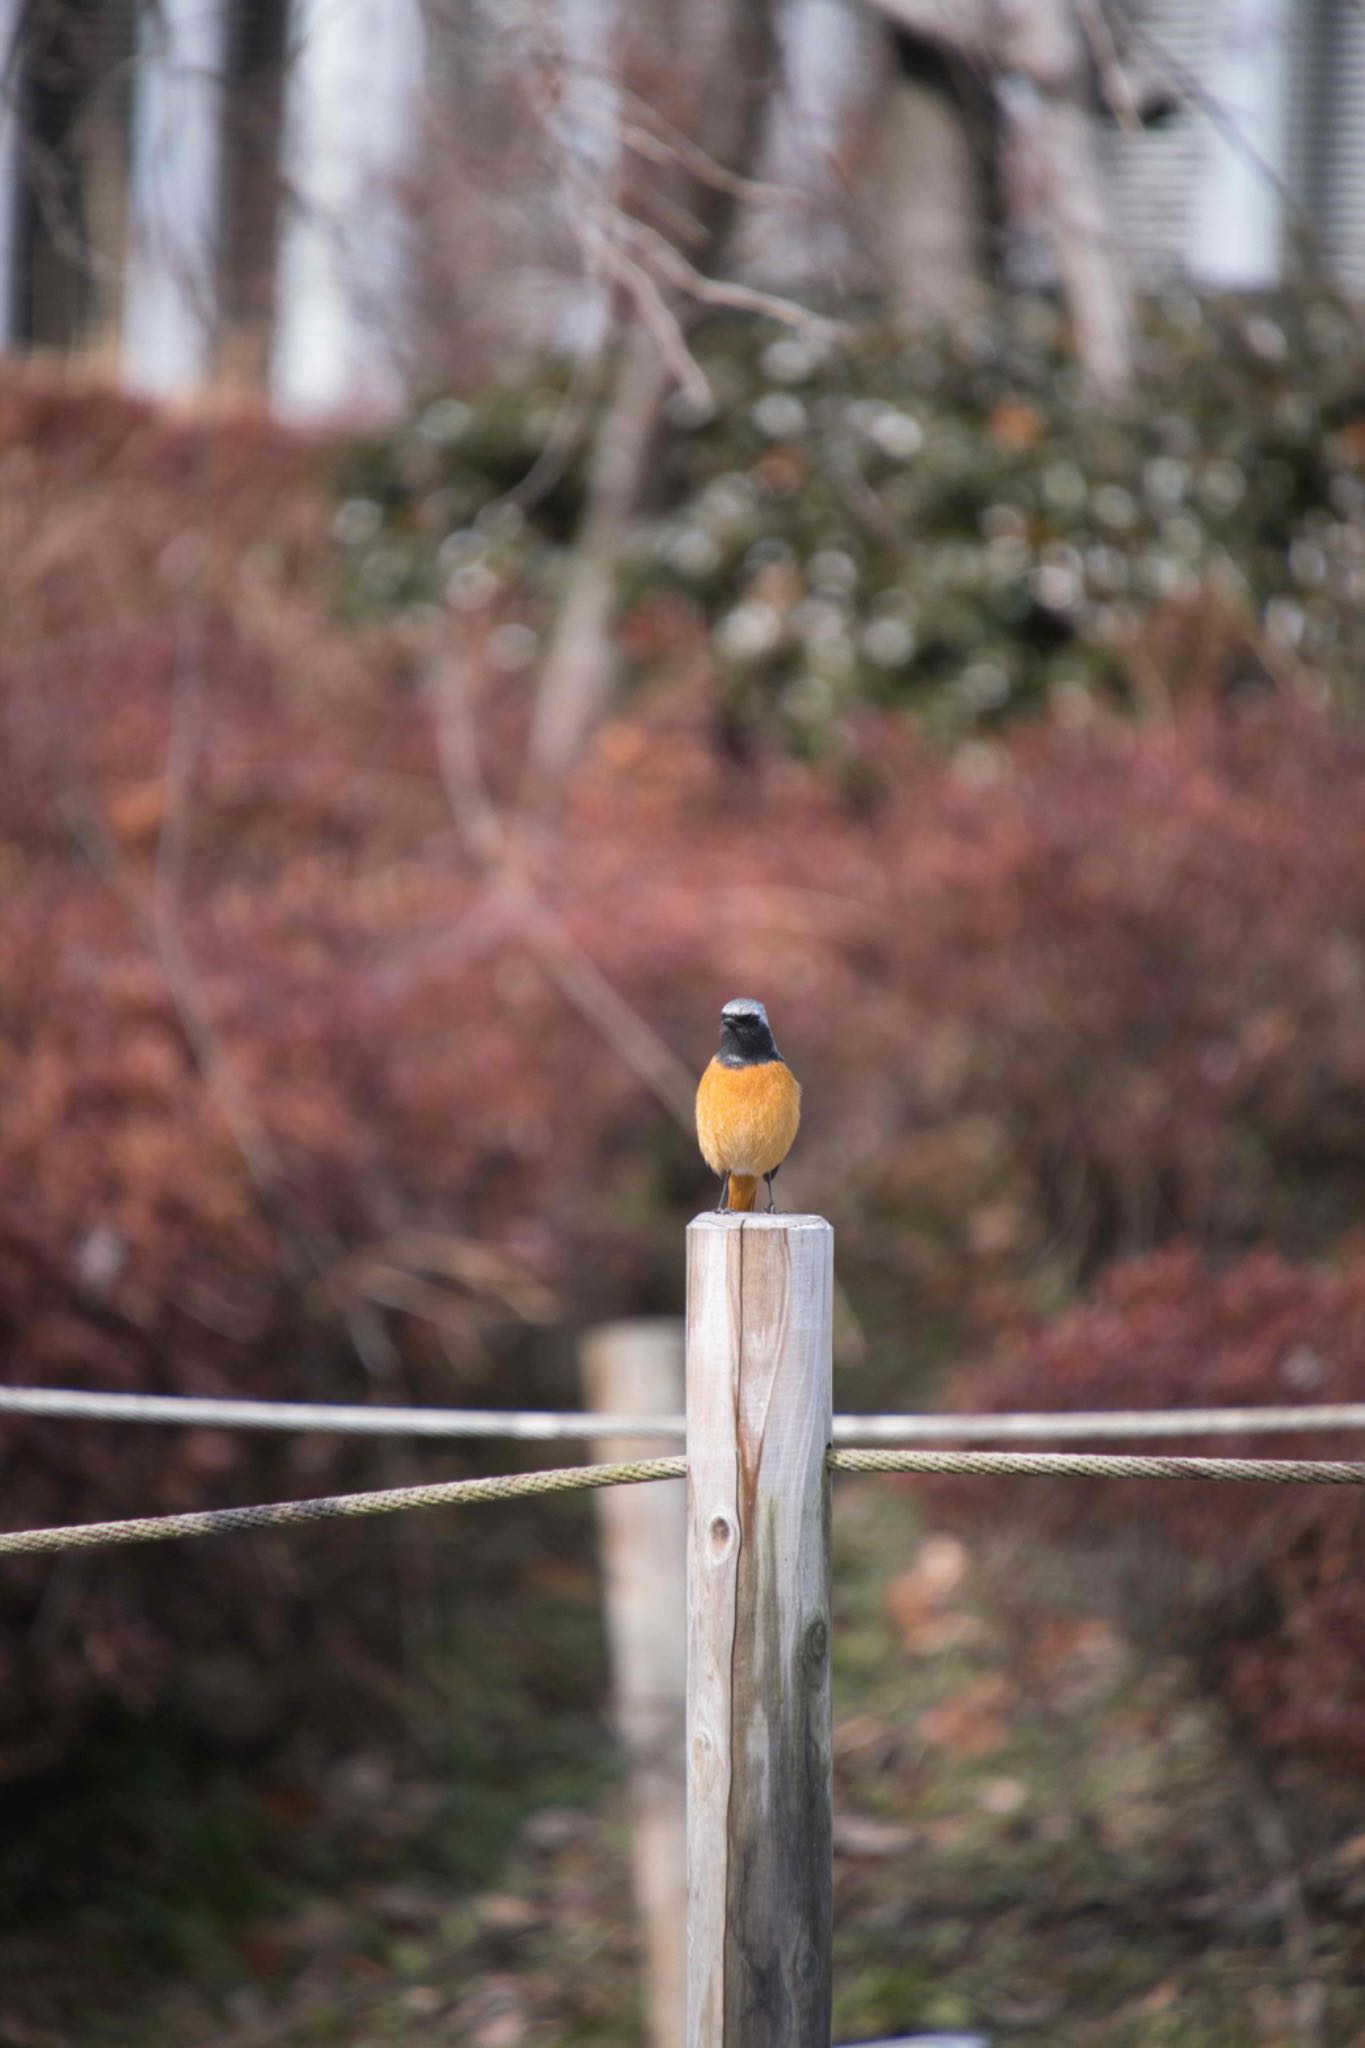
(288, 1062)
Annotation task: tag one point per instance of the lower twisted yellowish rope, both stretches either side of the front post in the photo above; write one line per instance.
(584, 1478)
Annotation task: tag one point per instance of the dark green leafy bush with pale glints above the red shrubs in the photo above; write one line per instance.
(936, 523)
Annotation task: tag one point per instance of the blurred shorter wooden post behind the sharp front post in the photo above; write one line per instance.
(637, 1369)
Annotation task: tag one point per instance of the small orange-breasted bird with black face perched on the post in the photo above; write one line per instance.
(748, 1107)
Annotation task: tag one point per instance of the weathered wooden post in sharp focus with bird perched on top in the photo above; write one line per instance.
(760, 1355)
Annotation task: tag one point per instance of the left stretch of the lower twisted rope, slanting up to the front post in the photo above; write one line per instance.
(331, 1508)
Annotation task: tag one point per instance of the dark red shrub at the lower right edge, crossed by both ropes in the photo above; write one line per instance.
(1264, 1582)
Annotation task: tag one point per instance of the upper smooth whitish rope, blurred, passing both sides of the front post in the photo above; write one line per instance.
(552, 1426)
